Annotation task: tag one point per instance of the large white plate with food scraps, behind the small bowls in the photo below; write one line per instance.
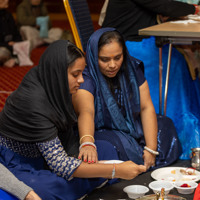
(174, 174)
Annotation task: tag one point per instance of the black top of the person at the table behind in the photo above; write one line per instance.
(128, 16)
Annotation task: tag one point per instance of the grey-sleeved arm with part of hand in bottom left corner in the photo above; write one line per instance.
(10, 184)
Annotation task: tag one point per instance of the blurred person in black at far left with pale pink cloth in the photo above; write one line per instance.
(12, 49)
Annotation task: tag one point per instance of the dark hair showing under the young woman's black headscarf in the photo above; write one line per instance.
(73, 53)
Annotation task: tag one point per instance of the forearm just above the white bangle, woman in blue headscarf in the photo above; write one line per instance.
(150, 127)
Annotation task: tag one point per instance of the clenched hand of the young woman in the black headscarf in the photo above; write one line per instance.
(128, 170)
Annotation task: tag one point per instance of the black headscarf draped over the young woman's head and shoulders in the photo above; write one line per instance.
(41, 107)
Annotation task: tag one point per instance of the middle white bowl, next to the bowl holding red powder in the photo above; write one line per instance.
(156, 186)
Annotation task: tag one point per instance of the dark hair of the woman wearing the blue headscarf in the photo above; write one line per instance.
(108, 37)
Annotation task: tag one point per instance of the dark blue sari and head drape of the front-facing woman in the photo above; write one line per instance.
(122, 126)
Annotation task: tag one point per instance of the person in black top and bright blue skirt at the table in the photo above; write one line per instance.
(183, 102)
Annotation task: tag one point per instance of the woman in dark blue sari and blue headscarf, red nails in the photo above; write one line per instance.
(114, 105)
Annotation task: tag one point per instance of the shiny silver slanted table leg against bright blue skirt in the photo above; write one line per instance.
(167, 77)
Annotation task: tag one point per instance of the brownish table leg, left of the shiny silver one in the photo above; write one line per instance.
(160, 80)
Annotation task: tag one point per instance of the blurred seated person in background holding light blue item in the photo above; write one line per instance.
(35, 24)
